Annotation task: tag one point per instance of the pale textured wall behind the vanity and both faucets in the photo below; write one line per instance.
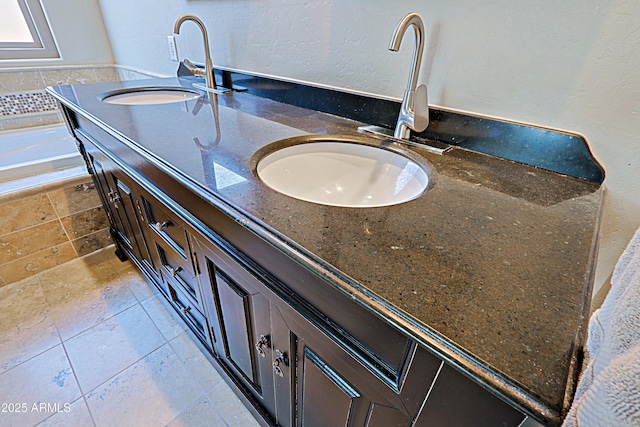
(570, 65)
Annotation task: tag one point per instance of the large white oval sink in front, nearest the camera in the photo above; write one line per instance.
(343, 173)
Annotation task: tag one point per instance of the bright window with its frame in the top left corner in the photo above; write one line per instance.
(24, 31)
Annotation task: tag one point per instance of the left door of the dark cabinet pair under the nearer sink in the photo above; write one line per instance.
(238, 313)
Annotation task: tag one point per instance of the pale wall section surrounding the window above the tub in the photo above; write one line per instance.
(80, 35)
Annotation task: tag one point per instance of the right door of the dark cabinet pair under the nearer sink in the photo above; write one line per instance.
(321, 383)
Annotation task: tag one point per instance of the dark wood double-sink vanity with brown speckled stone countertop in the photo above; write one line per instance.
(466, 306)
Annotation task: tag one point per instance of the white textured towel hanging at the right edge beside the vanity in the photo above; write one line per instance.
(608, 392)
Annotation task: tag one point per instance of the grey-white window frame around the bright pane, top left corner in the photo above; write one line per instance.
(43, 46)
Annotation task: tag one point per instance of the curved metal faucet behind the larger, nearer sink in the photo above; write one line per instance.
(414, 112)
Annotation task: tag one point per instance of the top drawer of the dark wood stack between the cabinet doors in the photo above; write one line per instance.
(167, 226)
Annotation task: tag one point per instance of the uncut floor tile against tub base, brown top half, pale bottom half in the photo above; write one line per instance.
(84, 292)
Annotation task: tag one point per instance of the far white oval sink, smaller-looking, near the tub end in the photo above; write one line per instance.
(149, 95)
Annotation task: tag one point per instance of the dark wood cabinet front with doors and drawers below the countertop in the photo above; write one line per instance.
(299, 352)
